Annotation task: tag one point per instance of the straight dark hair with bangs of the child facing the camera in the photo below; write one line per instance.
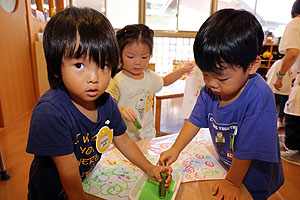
(97, 40)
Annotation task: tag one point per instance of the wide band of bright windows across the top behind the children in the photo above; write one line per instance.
(175, 16)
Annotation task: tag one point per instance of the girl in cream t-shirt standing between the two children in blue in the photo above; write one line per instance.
(134, 86)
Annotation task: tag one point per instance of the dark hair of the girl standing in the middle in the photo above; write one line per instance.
(134, 33)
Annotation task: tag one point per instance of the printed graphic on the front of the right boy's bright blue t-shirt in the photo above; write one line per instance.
(223, 135)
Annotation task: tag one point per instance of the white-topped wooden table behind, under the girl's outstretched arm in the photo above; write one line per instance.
(174, 90)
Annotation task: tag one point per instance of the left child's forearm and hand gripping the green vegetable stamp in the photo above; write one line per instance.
(132, 152)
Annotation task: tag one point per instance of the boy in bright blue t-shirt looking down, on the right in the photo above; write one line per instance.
(237, 106)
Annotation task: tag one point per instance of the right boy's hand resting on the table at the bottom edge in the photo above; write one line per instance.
(226, 190)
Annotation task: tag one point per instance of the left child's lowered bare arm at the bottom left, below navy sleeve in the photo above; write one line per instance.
(69, 176)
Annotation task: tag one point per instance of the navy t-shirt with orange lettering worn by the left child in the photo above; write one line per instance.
(58, 128)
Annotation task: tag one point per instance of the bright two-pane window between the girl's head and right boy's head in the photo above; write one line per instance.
(168, 15)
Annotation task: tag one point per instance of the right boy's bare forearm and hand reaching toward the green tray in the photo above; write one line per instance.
(187, 133)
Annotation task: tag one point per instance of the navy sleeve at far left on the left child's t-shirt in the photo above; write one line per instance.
(49, 134)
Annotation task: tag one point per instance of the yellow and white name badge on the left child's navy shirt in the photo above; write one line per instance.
(104, 138)
